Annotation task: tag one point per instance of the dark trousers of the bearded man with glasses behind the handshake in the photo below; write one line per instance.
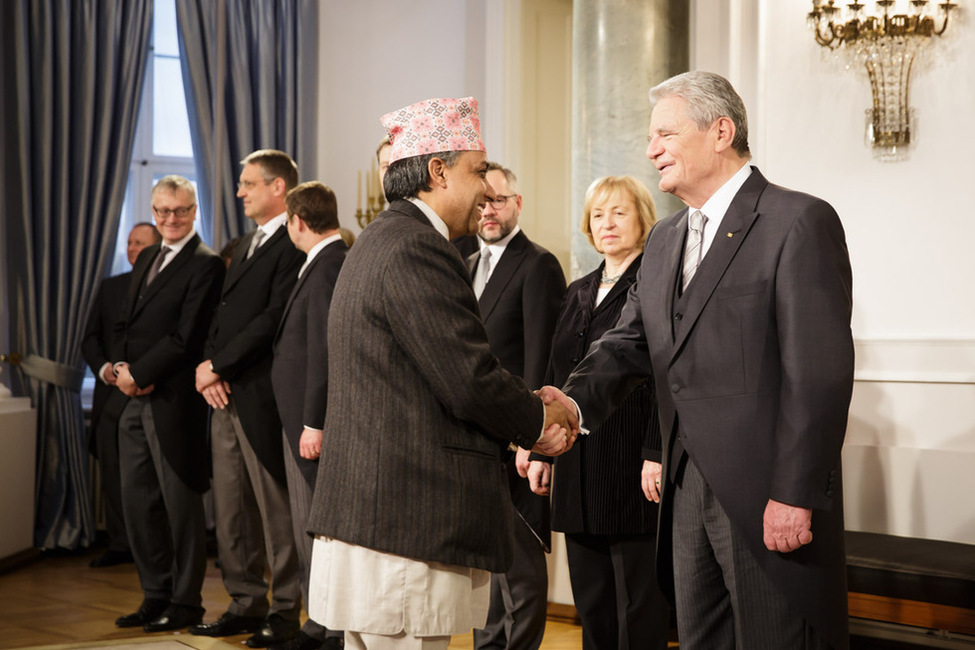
(519, 597)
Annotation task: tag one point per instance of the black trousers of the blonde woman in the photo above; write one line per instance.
(614, 586)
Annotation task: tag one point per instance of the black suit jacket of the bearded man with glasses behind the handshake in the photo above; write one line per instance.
(519, 307)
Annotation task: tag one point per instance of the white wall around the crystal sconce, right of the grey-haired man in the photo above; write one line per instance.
(911, 442)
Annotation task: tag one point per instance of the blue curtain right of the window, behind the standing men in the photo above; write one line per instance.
(250, 68)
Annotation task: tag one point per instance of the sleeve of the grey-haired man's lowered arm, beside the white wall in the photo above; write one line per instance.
(813, 302)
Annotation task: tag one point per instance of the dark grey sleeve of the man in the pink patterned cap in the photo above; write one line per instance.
(433, 315)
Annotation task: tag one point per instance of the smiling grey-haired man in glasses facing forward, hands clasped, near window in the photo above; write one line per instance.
(162, 427)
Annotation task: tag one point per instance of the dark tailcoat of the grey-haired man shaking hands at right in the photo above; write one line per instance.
(754, 374)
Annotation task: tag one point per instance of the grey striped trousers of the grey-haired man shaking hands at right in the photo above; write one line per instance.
(724, 599)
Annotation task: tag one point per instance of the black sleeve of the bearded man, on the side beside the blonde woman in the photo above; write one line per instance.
(542, 297)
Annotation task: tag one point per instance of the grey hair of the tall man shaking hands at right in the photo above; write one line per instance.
(709, 96)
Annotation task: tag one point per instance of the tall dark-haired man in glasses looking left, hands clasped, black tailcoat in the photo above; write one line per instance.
(250, 493)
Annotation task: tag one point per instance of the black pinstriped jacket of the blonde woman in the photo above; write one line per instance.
(596, 488)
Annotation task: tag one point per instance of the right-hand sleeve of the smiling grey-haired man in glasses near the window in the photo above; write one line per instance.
(169, 354)
